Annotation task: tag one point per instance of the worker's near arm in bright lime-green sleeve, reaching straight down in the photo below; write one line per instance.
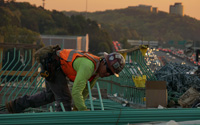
(84, 68)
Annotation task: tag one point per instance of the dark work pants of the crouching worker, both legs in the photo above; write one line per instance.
(56, 90)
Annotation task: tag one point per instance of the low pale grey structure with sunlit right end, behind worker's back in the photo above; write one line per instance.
(67, 42)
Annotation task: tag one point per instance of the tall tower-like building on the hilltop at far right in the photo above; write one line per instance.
(177, 8)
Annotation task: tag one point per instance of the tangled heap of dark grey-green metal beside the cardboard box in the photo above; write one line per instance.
(179, 78)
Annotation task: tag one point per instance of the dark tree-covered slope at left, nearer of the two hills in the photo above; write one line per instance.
(24, 23)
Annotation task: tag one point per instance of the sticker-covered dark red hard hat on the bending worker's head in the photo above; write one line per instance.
(115, 61)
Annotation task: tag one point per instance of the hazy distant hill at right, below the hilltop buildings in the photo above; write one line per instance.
(130, 23)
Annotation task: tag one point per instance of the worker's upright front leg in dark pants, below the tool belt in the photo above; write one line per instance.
(61, 90)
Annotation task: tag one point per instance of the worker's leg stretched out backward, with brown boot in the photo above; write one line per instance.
(26, 101)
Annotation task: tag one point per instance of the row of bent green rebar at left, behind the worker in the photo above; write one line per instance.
(18, 81)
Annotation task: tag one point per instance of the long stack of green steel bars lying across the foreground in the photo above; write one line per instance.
(101, 117)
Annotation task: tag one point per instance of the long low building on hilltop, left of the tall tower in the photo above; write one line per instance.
(145, 8)
